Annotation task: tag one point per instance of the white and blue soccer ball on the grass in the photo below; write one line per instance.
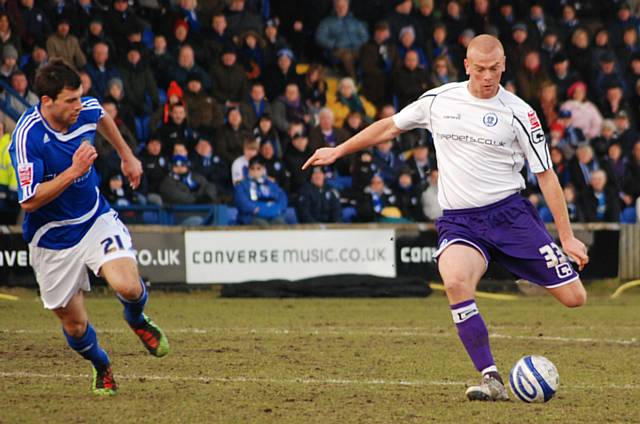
(534, 379)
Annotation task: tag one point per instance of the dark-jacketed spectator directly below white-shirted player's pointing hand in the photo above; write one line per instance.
(317, 202)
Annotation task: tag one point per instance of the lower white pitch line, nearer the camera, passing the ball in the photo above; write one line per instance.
(302, 381)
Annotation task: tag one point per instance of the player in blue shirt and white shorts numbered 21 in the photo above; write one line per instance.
(68, 224)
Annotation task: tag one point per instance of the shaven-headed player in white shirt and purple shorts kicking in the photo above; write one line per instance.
(483, 134)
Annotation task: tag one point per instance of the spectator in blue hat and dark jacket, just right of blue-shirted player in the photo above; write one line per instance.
(185, 187)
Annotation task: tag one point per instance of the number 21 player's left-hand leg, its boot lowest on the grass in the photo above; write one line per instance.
(82, 338)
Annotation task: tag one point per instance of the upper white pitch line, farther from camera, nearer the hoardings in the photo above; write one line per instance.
(344, 331)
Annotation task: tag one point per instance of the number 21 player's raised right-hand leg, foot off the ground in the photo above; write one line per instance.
(122, 275)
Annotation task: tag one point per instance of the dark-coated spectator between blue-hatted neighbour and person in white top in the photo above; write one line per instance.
(208, 163)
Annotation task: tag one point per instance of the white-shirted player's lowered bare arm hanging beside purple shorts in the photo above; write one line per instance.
(552, 192)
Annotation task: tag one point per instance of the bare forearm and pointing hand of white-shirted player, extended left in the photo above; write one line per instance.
(382, 130)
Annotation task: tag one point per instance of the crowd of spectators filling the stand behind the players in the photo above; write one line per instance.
(225, 100)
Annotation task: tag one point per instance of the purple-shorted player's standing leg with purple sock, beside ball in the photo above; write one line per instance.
(461, 267)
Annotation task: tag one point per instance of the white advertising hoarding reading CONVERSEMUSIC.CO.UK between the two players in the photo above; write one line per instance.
(238, 256)
